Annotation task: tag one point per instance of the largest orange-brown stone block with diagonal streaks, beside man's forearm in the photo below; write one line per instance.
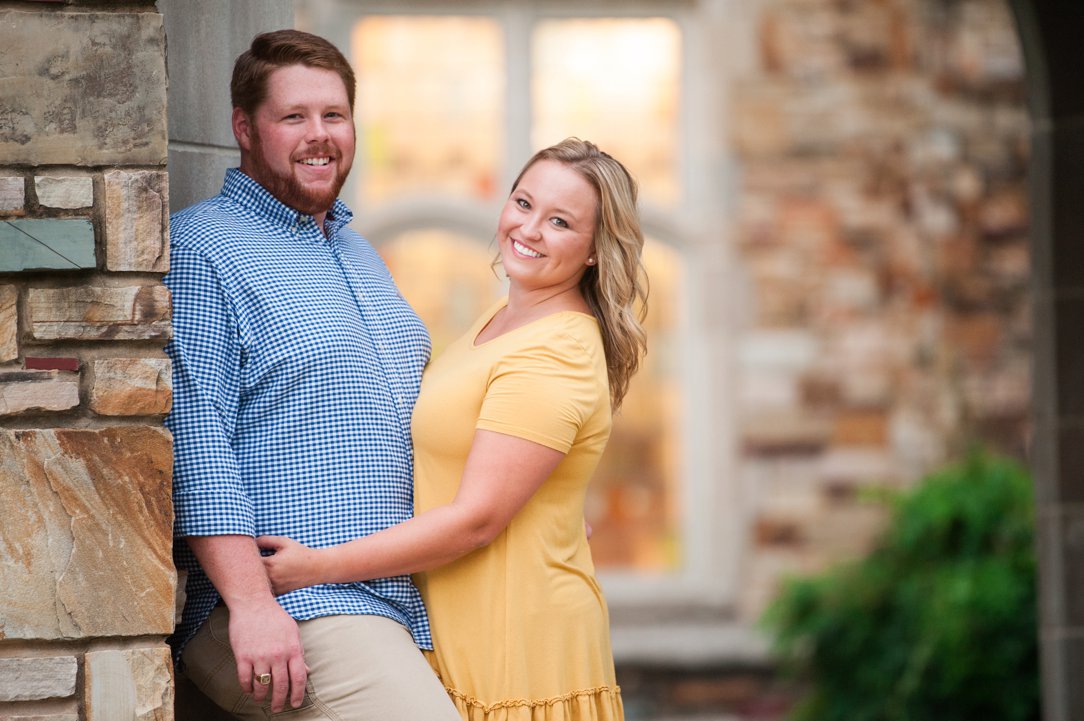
(87, 533)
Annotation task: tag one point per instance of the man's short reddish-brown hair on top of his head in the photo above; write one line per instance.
(270, 51)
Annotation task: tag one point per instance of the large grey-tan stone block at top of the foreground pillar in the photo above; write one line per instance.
(95, 95)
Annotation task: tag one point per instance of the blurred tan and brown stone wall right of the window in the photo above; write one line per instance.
(883, 233)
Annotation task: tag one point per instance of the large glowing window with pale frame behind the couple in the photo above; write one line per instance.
(453, 100)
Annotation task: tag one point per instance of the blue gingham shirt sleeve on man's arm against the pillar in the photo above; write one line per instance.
(210, 498)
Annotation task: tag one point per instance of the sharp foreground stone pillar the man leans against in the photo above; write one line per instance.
(87, 585)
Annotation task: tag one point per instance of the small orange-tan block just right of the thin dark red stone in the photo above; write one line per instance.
(133, 387)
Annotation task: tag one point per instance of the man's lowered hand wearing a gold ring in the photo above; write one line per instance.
(266, 640)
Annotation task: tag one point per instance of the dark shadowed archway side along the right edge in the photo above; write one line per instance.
(1050, 32)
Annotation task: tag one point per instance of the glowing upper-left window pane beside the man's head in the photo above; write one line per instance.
(430, 111)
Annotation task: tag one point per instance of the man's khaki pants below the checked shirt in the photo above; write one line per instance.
(363, 668)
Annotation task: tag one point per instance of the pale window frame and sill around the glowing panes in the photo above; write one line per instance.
(691, 614)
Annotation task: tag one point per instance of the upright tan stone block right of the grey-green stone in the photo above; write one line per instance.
(137, 221)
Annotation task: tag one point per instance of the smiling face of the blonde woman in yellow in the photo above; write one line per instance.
(547, 228)
